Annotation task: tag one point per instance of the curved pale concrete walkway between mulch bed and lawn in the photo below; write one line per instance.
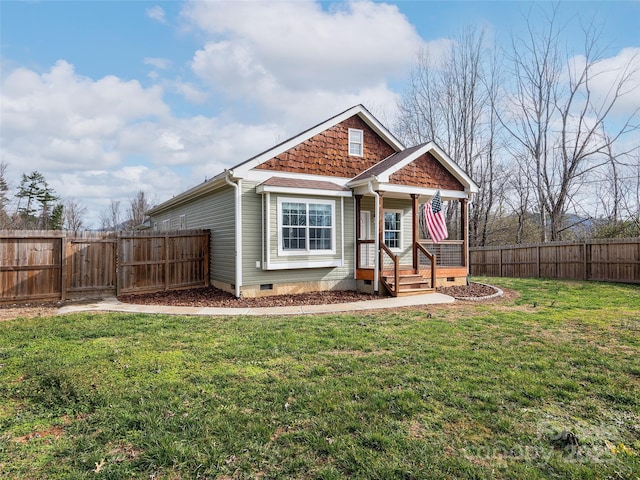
(113, 305)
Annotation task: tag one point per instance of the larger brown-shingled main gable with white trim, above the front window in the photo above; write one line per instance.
(322, 150)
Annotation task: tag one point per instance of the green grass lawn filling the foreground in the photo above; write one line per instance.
(469, 391)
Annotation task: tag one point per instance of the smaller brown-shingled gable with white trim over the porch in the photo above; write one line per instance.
(424, 166)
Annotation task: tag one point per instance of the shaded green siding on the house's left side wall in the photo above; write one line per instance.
(214, 211)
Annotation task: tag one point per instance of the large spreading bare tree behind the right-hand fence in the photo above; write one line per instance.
(556, 119)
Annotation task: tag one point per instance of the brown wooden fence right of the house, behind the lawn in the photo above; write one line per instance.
(610, 260)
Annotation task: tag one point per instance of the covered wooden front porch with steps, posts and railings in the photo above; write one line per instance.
(390, 263)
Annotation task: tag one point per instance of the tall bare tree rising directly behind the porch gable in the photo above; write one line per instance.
(449, 101)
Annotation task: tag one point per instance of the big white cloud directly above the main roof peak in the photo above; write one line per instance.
(295, 57)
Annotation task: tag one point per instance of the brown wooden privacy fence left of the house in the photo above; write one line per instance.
(55, 265)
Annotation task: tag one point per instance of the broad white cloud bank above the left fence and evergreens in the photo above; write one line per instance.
(66, 125)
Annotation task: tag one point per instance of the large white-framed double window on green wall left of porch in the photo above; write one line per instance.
(306, 226)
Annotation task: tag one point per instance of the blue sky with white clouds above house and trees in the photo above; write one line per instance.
(107, 98)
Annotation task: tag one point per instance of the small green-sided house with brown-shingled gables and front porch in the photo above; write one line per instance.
(335, 207)
